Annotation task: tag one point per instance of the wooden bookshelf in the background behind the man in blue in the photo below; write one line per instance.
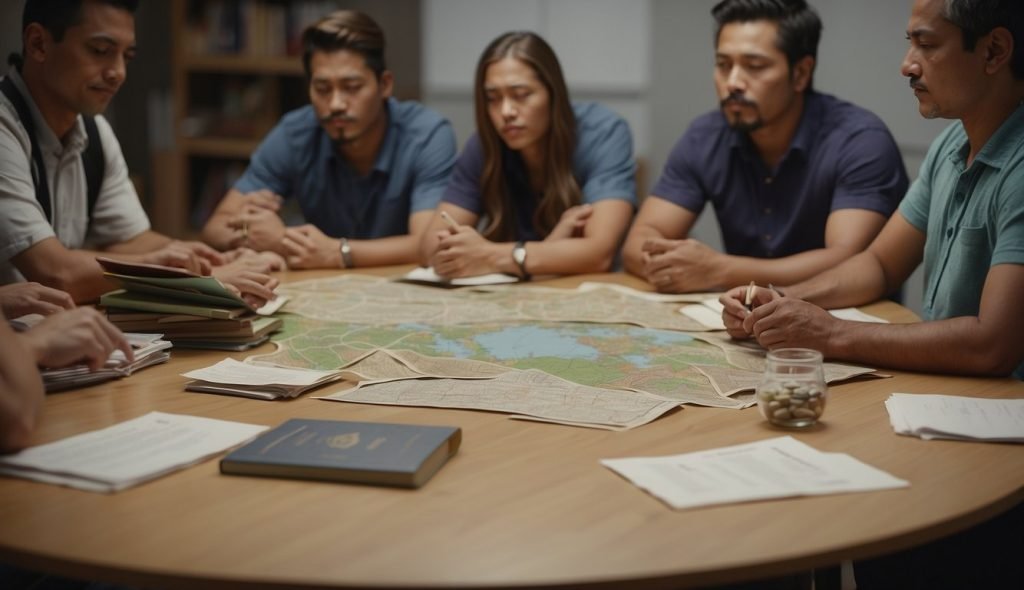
(236, 69)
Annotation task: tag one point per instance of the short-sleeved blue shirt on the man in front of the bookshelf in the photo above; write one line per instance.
(297, 160)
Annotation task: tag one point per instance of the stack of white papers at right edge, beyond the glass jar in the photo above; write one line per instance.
(957, 417)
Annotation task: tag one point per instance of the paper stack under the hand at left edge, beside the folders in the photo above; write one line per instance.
(149, 350)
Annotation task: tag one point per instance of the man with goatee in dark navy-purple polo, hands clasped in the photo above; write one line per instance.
(800, 181)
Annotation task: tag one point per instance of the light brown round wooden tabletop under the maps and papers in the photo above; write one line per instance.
(524, 504)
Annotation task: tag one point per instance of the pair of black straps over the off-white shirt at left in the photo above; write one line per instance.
(93, 157)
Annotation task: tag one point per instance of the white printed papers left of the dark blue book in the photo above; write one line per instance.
(130, 453)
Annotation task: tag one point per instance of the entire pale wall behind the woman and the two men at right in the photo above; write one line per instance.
(652, 61)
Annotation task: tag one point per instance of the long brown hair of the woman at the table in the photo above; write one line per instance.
(561, 189)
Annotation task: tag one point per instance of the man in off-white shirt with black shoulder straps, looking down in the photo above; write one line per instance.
(74, 63)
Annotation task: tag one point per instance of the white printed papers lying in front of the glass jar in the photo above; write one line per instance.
(775, 469)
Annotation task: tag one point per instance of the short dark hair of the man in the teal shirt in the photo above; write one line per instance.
(976, 19)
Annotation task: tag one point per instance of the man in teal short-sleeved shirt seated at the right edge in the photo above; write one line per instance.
(964, 216)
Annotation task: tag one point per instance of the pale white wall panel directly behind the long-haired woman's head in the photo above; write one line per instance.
(585, 34)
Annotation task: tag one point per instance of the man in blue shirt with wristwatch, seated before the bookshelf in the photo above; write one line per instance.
(367, 170)
